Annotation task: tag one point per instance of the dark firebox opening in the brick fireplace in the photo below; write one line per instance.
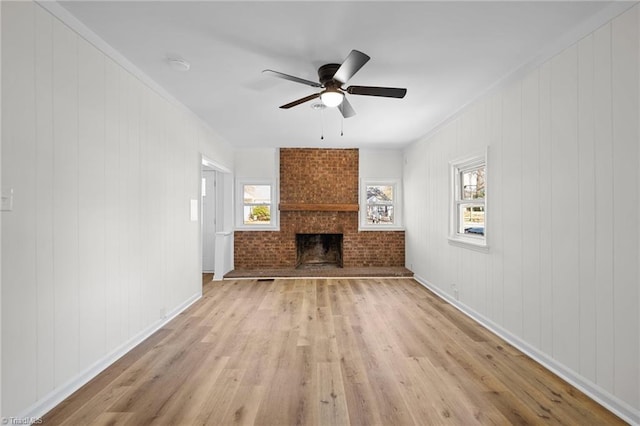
(319, 250)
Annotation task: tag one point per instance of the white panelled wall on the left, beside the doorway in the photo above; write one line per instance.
(99, 247)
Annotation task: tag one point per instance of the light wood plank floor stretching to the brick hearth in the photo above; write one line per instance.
(325, 352)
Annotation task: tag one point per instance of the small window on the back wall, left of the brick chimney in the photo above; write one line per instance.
(257, 209)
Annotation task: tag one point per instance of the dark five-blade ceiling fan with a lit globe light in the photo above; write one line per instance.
(332, 77)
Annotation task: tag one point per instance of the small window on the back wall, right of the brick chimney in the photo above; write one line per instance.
(379, 205)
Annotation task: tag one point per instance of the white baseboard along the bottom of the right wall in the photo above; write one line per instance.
(622, 409)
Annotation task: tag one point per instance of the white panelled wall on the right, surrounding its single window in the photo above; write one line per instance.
(561, 278)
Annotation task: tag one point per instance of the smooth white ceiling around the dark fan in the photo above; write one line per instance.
(445, 53)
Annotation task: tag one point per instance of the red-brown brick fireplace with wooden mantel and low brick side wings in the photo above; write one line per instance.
(318, 195)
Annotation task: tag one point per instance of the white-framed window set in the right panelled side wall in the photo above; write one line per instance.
(469, 201)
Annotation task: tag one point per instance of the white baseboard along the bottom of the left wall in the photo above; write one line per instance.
(59, 394)
